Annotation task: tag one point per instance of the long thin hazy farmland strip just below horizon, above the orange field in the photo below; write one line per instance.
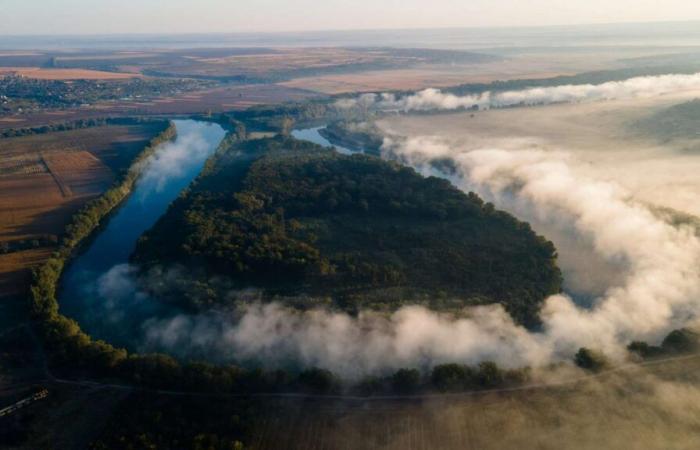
(260, 62)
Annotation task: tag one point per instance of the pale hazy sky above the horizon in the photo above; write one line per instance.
(173, 16)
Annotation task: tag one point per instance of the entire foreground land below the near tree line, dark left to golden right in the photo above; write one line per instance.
(643, 407)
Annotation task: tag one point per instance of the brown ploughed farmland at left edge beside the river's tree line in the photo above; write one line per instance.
(46, 178)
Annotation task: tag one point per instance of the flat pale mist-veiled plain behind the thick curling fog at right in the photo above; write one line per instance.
(601, 137)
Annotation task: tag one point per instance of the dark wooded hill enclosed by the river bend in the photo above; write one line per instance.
(306, 225)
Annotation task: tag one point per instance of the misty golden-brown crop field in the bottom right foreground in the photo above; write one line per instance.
(653, 408)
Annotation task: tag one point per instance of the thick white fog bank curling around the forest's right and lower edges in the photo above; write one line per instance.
(657, 289)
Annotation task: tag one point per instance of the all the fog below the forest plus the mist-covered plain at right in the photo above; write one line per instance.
(581, 173)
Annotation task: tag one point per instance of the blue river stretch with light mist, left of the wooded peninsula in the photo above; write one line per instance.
(96, 285)
